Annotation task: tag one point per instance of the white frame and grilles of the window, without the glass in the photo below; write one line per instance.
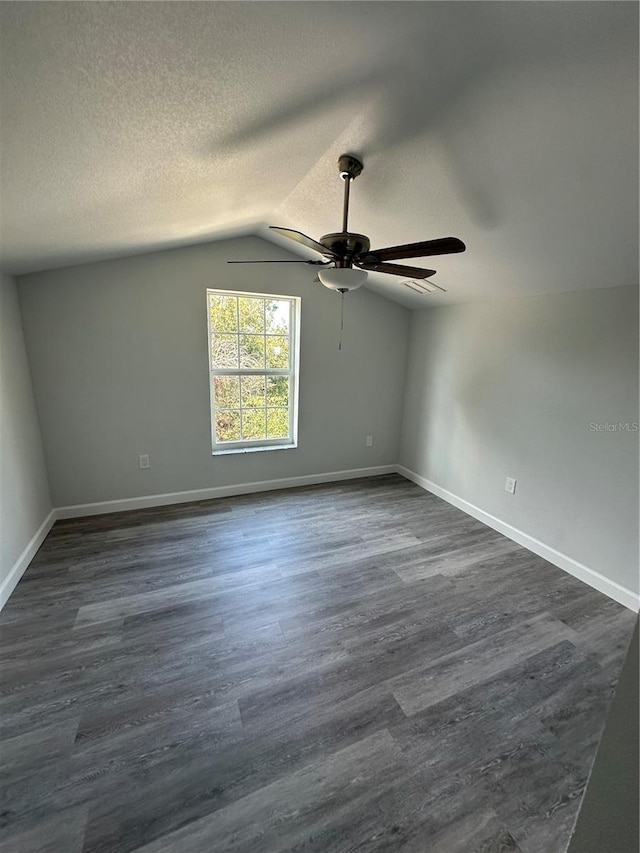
(219, 448)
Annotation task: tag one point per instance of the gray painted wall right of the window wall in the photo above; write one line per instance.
(510, 388)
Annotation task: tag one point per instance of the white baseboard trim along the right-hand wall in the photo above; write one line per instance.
(589, 576)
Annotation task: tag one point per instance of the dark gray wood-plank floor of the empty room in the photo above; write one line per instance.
(349, 667)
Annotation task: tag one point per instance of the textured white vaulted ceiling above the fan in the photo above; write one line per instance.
(127, 127)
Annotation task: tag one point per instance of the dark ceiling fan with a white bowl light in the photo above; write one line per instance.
(348, 256)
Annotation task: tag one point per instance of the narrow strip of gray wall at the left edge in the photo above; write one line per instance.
(24, 491)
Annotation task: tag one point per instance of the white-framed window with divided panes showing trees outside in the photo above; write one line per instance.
(253, 355)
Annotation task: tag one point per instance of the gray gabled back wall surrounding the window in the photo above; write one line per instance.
(118, 351)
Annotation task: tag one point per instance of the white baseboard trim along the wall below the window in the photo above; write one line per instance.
(146, 501)
